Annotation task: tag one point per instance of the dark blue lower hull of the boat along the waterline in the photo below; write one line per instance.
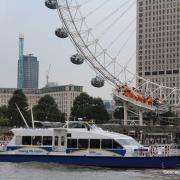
(118, 162)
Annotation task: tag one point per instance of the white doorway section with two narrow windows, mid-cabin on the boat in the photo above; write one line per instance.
(60, 140)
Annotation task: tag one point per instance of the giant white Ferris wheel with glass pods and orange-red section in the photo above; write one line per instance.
(104, 35)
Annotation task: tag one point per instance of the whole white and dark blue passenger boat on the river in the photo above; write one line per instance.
(82, 143)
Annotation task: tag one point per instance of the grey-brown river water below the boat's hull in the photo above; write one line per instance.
(42, 171)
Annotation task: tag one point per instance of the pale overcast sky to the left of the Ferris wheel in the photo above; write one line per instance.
(38, 23)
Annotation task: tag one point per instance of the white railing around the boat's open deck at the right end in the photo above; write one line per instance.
(159, 150)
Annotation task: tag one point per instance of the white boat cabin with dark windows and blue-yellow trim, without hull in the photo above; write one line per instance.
(74, 137)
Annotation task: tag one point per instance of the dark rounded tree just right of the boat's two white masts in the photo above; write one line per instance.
(47, 110)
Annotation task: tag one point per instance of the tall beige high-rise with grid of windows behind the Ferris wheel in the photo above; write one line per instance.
(158, 43)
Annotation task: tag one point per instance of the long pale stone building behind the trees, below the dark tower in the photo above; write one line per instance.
(63, 96)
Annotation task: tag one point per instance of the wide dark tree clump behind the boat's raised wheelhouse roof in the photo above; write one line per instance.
(85, 106)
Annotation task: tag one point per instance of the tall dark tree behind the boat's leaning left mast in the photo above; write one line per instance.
(20, 99)
